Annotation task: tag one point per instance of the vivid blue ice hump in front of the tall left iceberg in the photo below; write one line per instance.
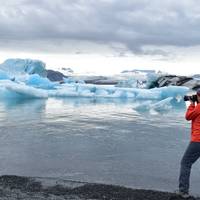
(39, 82)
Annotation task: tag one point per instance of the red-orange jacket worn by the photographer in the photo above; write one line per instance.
(193, 113)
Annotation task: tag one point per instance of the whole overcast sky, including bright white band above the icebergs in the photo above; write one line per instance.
(103, 35)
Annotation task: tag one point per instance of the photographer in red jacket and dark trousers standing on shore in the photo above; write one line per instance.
(192, 152)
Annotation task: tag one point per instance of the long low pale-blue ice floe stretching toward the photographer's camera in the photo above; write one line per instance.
(90, 90)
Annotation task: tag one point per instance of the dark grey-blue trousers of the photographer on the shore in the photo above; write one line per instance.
(192, 153)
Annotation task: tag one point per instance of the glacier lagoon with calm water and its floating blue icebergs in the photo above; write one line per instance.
(94, 133)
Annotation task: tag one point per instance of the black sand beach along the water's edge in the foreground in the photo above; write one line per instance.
(27, 188)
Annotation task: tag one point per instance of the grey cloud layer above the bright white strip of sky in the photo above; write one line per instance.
(50, 25)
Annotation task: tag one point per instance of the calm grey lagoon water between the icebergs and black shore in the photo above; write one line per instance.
(102, 141)
